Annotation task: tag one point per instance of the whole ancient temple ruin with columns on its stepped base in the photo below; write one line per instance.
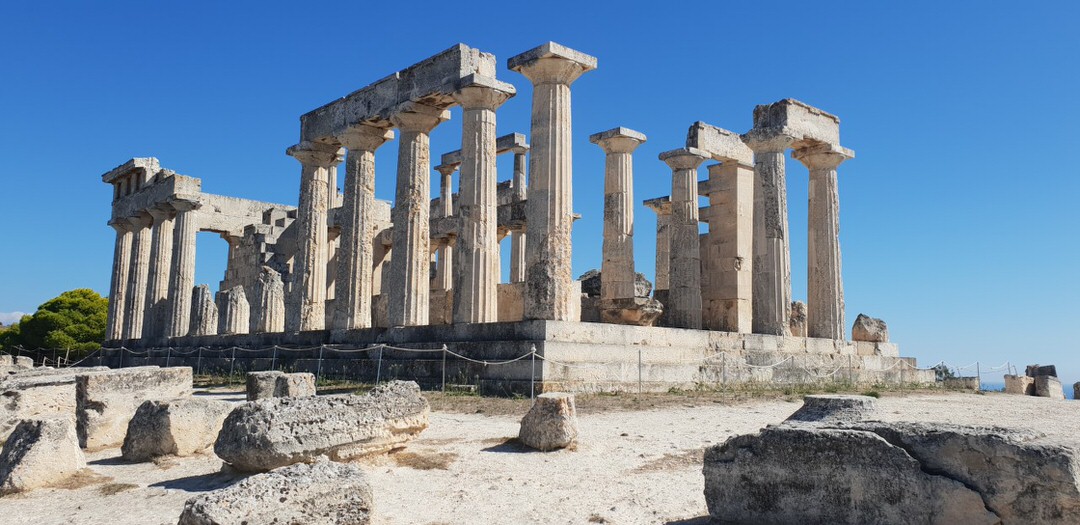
(348, 270)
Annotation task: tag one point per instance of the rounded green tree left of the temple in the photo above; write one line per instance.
(73, 321)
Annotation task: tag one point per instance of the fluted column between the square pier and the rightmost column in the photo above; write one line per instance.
(773, 258)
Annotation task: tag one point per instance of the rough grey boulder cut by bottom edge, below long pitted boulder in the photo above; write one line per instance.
(325, 493)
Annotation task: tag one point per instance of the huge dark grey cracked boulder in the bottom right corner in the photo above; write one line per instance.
(874, 473)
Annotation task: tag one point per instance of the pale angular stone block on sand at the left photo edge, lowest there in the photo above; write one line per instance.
(40, 453)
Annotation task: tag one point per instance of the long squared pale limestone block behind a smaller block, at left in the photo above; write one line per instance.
(106, 401)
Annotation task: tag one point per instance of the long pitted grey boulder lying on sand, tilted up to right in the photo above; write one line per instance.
(266, 435)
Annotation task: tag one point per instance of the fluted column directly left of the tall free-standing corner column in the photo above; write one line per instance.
(477, 261)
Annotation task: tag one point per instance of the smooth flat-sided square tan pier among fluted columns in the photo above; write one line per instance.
(727, 257)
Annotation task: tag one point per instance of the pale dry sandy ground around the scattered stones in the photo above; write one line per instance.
(639, 462)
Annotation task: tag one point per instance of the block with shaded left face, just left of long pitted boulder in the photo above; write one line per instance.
(174, 428)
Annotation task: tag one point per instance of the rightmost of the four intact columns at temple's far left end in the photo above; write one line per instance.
(182, 277)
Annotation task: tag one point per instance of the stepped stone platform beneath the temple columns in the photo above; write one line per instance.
(570, 357)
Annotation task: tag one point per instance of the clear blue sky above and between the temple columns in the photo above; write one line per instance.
(958, 216)
